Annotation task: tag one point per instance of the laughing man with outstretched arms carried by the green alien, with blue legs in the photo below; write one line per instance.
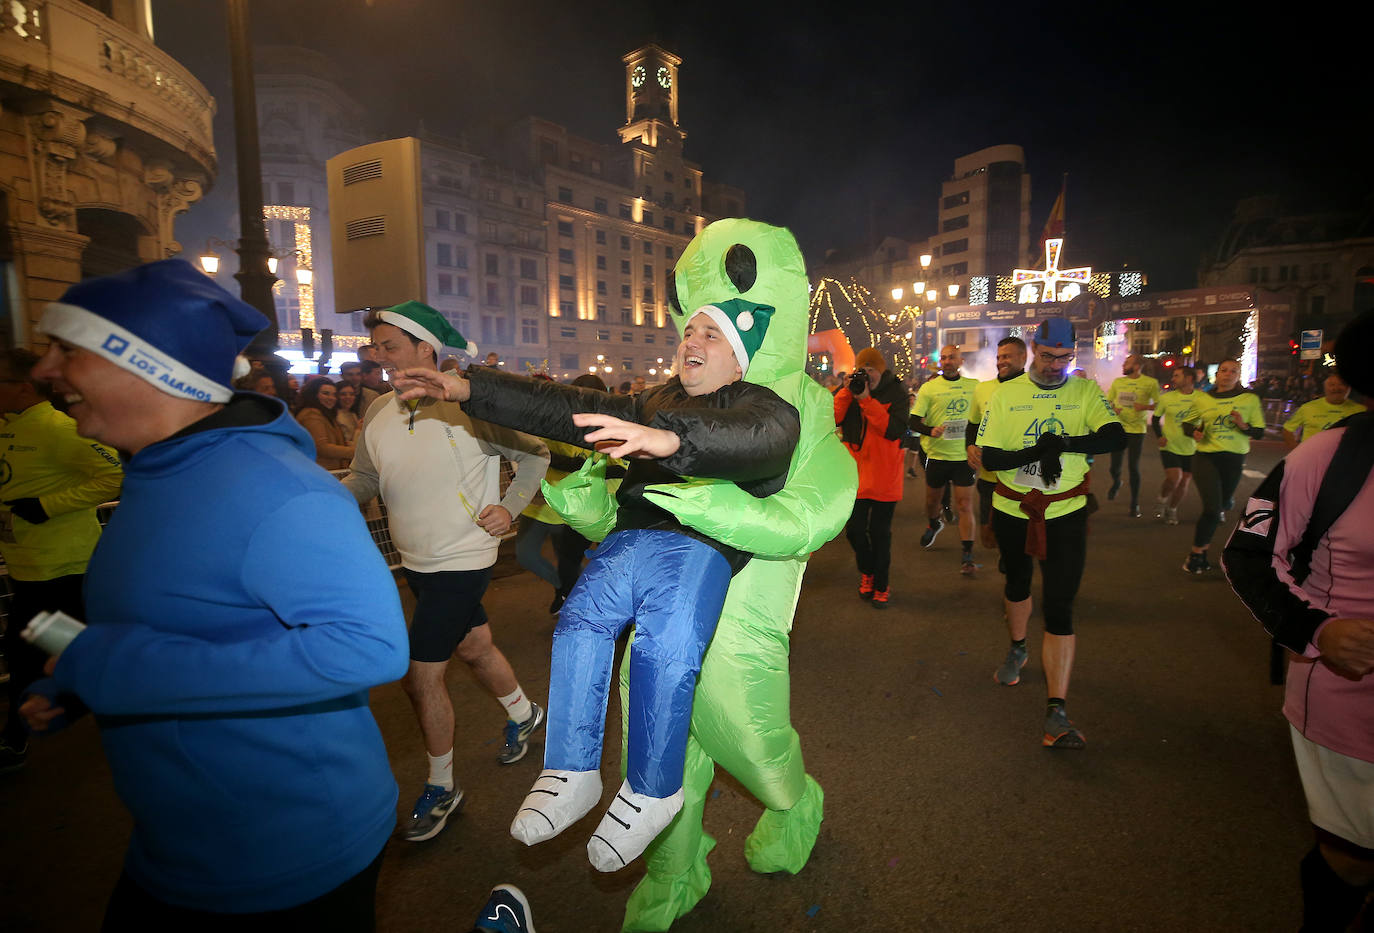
(653, 572)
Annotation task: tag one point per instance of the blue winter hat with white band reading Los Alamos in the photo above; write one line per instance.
(164, 322)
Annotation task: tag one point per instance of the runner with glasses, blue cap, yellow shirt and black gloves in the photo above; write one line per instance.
(1037, 436)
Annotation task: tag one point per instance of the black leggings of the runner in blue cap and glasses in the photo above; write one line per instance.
(1061, 572)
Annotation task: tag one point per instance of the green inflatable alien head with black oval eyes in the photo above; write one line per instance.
(745, 259)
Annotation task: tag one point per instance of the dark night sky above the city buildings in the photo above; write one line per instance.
(842, 124)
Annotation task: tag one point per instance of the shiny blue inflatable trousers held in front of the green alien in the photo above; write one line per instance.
(673, 589)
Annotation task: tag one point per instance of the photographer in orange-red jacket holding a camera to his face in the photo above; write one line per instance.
(872, 413)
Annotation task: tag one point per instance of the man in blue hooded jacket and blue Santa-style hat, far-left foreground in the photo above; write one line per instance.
(232, 689)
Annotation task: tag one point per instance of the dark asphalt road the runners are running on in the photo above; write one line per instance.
(943, 811)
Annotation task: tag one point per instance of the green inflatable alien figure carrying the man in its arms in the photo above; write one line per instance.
(741, 717)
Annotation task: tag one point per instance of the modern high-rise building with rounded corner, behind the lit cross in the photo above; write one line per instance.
(984, 219)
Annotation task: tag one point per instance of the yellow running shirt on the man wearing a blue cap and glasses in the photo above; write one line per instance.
(1020, 412)
